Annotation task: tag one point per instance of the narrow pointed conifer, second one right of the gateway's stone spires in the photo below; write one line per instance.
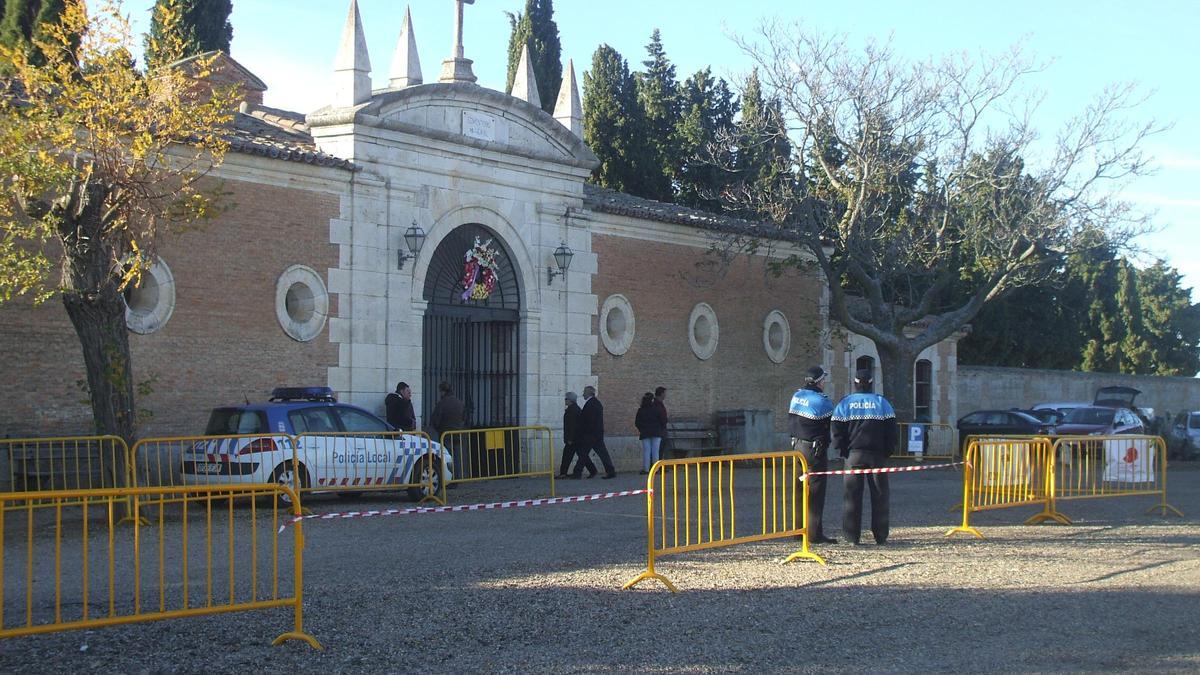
(658, 94)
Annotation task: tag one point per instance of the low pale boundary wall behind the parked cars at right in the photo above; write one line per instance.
(986, 387)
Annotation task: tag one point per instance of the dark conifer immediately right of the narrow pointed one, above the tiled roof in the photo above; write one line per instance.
(709, 109)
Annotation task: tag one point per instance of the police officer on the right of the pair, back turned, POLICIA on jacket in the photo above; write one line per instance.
(865, 429)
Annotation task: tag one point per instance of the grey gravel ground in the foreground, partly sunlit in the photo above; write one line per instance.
(538, 590)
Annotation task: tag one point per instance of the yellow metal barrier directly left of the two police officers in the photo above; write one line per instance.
(693, 505)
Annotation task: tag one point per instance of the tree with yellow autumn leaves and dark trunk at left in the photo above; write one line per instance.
(98, 159)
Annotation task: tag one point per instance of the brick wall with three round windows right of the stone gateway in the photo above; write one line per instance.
(663, 283)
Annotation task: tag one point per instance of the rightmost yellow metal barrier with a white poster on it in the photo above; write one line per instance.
(1109, 467)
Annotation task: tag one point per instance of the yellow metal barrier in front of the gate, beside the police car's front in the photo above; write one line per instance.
(505, 452)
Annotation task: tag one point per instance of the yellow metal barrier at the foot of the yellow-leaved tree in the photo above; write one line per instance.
(73, 463)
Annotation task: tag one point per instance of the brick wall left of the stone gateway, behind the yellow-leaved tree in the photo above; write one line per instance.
(221, 345)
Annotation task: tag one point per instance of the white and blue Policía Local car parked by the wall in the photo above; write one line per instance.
(341, 447)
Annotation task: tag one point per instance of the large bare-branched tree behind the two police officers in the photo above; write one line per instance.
(914, 177)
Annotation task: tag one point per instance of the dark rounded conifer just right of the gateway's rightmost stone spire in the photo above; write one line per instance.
(614, 124)
